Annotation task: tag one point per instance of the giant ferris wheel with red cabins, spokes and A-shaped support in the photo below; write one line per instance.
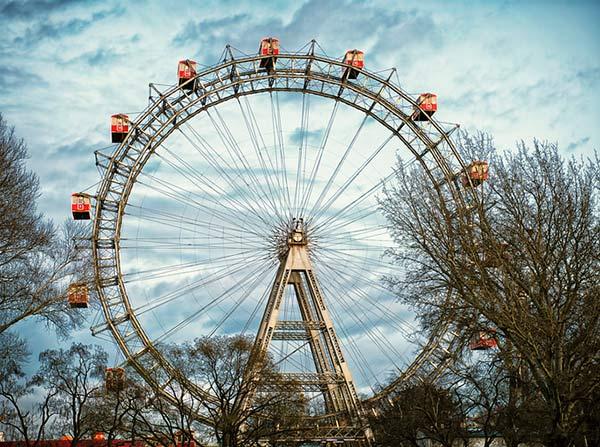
(244, 199)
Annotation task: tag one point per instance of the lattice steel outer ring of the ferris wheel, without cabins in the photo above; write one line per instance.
(373, 95)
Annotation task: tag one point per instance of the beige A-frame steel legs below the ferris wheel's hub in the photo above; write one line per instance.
(332, 377)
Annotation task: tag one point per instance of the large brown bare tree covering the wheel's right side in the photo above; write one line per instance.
(523, 262)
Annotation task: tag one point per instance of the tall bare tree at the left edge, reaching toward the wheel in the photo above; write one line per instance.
(36, 260)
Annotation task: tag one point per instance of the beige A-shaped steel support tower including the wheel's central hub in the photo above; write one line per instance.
(345, 420)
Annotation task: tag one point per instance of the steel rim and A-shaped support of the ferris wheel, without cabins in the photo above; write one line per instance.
(236, 77)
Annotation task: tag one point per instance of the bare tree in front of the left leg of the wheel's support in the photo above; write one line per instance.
(244, 410)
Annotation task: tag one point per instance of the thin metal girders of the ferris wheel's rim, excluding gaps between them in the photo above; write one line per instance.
(115, 164)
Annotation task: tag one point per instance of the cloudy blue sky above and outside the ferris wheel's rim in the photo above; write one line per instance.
(517, 70)
